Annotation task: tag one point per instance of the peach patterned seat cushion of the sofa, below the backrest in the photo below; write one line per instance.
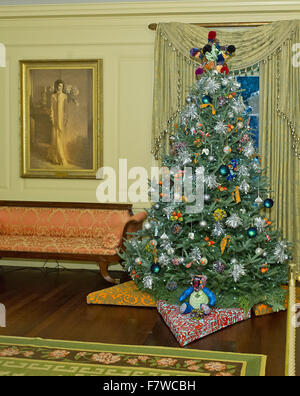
(73, 245)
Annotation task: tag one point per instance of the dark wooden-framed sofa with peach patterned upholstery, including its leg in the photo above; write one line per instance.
(67, 231)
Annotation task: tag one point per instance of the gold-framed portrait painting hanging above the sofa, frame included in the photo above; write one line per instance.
(61, 113)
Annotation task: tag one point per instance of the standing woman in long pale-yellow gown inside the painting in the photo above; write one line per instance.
(58, 117)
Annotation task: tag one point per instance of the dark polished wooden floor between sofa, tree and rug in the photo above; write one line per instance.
(51, 304)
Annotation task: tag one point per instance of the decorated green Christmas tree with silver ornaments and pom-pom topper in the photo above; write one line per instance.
(231, 241)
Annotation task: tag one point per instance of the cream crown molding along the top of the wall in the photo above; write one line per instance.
(161, 8)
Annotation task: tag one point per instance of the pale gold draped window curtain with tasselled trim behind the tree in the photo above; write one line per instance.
(270, 49)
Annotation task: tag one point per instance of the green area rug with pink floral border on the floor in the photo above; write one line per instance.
(42, 357)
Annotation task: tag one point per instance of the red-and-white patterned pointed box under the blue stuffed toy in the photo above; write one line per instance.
(187, 330)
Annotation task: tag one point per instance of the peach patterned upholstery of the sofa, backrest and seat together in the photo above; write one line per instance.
(61, 230)
